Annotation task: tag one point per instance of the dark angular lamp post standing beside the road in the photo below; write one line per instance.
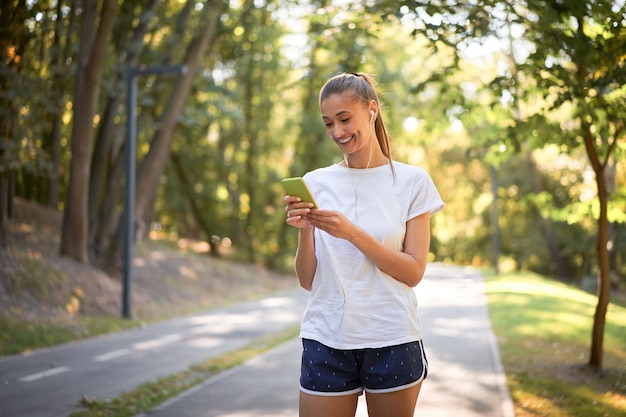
(131, 145)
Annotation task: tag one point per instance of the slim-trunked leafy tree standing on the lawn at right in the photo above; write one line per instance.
(576, 62)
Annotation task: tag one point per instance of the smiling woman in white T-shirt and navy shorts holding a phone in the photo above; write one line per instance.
(360, 254)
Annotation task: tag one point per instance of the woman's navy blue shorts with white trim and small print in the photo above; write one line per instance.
(328, 371)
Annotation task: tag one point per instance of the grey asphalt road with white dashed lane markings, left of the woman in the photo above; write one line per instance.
(50, 382)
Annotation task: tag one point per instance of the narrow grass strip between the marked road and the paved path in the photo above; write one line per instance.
(150, 395)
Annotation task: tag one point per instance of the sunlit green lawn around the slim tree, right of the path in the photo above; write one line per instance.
(544, 332)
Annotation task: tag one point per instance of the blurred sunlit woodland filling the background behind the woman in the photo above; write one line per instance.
(516, 109)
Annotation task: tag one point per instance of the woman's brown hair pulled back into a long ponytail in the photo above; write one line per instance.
(362, 87)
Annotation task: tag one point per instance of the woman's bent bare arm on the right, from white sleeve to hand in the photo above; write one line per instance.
(406, 266)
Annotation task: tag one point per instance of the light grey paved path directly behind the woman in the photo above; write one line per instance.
(465, 376)
